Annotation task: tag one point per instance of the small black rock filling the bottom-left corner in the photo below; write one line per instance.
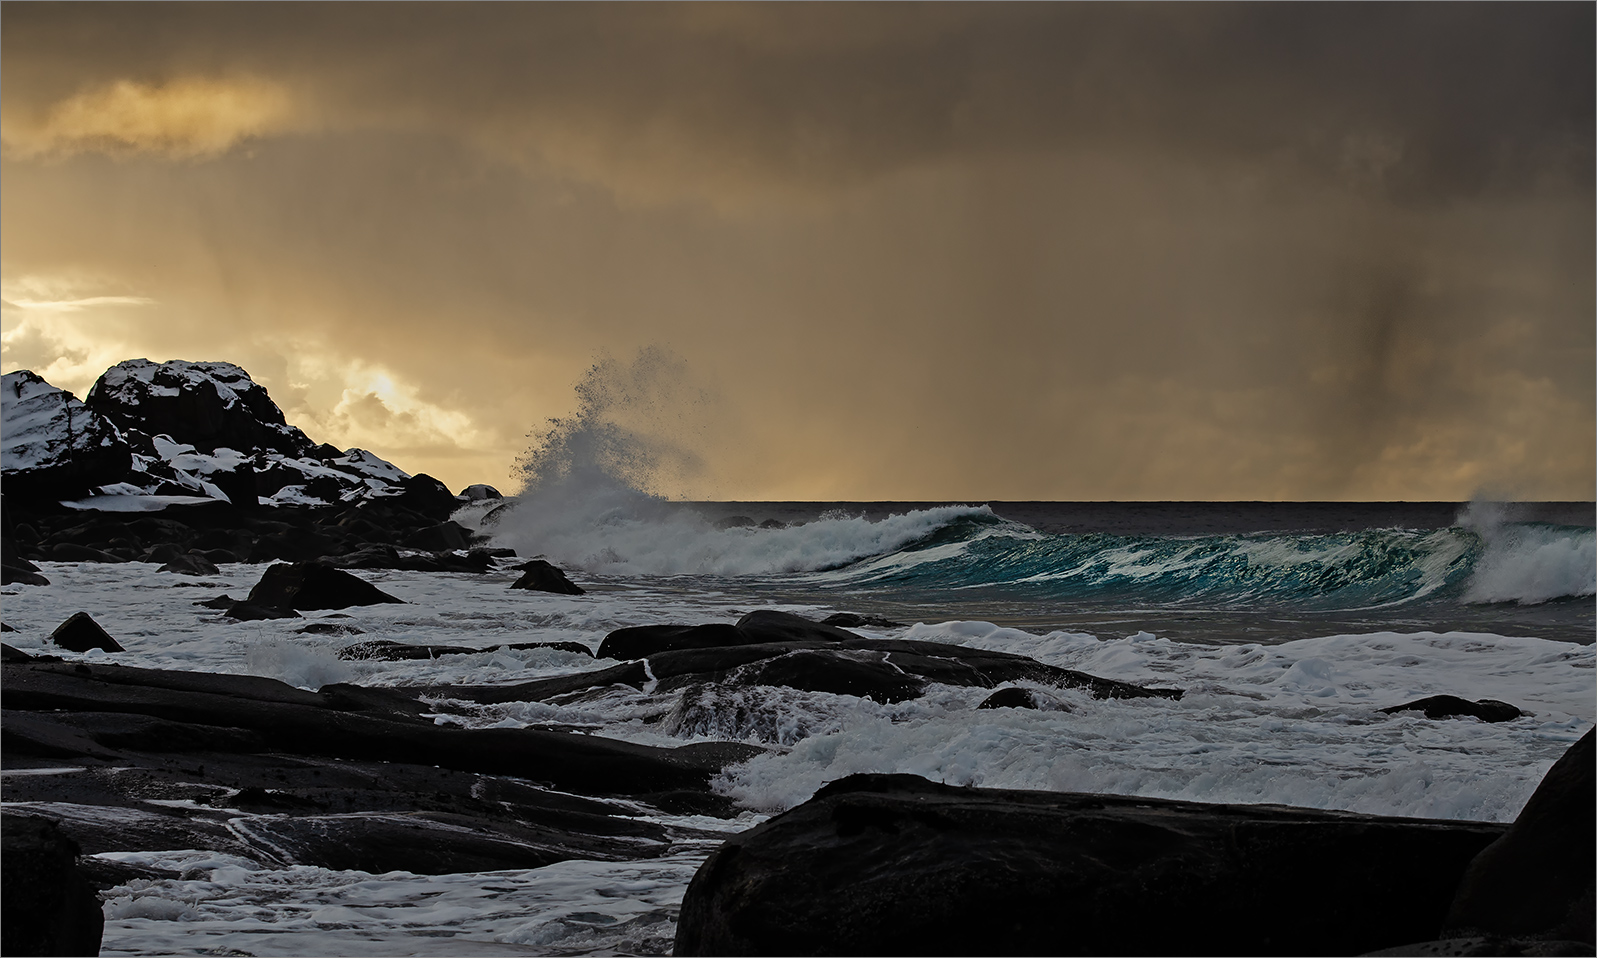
(50, 908)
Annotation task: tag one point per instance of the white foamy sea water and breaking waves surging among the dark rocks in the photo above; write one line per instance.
(1286, 641)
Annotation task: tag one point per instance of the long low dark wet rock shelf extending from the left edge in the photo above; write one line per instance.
(341, 778)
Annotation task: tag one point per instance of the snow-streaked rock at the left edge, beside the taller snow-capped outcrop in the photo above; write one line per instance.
(52, 445)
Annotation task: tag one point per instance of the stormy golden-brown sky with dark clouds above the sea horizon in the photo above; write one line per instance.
(839, 251)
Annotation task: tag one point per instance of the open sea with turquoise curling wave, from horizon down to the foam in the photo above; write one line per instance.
(1202, 572)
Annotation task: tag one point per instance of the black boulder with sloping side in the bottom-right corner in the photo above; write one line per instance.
(1539, 879)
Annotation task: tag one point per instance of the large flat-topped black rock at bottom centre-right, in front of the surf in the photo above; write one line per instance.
(892, 865)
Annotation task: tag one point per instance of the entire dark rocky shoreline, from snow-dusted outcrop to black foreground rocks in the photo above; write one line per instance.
(186, 467)
